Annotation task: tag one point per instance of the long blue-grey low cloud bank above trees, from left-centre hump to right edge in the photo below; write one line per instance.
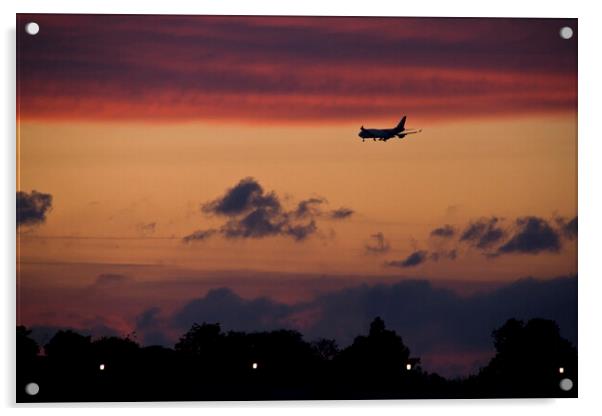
(430, 320)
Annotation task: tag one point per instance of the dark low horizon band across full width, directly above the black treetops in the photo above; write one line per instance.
(451, 352)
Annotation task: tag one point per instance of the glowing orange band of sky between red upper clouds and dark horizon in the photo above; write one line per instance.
(108, 179)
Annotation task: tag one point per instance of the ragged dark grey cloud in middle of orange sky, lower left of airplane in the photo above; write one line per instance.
(252, 212)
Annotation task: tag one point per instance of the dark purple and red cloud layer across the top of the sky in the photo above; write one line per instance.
(291, 69)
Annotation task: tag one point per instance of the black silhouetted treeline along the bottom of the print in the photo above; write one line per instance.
(209, 364)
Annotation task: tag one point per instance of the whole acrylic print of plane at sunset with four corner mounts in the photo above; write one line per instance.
(258, 208)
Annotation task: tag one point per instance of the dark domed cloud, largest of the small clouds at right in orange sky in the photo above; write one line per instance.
(532, 235)
